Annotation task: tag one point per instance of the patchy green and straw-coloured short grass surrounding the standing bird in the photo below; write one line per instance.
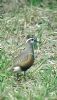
(41, 78)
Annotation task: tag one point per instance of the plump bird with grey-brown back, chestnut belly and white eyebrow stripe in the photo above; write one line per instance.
(26, 57)
